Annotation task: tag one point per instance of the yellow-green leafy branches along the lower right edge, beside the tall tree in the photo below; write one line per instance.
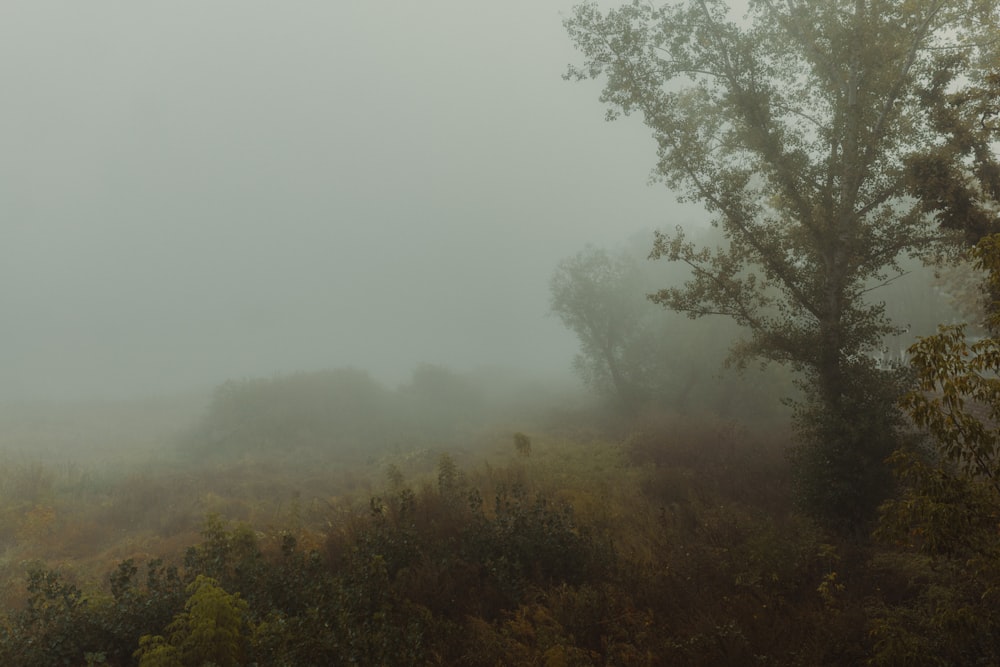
(943, 525)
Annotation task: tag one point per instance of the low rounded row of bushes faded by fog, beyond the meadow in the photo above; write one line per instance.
(346, 410)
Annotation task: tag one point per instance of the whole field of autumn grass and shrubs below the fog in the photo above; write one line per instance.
(670, 541)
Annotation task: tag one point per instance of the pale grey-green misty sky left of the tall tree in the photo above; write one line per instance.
(192, 191)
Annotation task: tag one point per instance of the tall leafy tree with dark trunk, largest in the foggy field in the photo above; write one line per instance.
(798, 128)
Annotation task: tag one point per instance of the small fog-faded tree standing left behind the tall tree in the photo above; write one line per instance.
(602, 299)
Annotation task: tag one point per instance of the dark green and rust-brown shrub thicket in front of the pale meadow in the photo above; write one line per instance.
(676, 546)
